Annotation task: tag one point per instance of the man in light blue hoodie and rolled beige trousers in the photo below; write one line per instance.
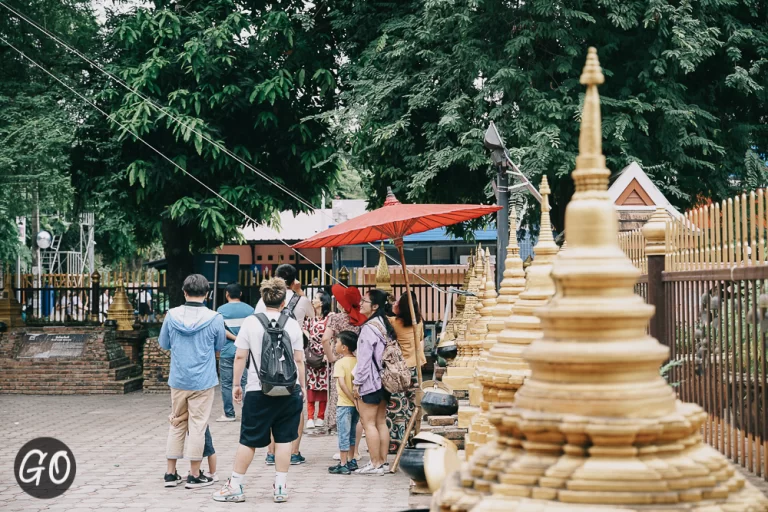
(193, 334)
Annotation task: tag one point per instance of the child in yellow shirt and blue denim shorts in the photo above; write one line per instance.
(346, 411)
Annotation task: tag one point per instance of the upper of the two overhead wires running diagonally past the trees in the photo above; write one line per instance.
(226, 151)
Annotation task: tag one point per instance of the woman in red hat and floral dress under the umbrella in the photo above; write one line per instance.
(348, 319)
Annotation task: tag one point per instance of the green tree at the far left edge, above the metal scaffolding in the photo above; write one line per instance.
(38, 118)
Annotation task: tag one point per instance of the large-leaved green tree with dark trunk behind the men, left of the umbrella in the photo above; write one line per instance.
(242, 73)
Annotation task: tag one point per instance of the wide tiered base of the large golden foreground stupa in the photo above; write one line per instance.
(569, 462)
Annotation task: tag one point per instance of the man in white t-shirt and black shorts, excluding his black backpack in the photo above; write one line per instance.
(265, 417)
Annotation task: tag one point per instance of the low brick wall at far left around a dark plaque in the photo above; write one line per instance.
(102, 369)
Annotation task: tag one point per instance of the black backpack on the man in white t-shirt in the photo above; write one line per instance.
(277, 372)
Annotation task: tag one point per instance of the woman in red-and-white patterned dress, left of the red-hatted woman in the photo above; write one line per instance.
(317, 378)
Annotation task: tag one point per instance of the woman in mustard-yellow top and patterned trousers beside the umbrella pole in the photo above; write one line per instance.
(402, 405)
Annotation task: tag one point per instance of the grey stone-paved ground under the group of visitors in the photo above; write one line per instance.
(119, 446)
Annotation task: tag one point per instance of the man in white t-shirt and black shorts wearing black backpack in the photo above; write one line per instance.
(273, 404)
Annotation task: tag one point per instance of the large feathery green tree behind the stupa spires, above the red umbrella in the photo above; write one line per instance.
(685, 92)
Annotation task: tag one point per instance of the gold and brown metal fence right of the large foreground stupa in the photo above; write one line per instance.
(710, 290)
